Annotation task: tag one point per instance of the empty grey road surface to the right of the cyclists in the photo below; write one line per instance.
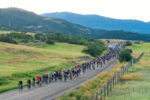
(55, 89)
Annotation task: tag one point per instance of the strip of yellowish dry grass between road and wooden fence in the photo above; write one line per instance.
(92, 86)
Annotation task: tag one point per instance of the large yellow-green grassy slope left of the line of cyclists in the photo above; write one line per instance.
(17, 61)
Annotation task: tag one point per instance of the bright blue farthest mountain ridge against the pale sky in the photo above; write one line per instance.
(100, 22)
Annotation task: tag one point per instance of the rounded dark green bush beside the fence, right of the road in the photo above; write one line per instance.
(125, 55)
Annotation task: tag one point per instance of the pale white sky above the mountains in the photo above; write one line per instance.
(120, 9)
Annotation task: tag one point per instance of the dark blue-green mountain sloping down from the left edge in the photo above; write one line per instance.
(19, 19)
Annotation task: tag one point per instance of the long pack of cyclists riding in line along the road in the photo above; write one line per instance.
(70, 73)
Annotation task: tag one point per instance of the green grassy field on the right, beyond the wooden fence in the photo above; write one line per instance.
(135, 89)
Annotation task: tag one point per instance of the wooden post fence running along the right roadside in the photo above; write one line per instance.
(107, 88)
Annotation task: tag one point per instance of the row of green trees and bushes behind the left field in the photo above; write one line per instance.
(94, 47)
